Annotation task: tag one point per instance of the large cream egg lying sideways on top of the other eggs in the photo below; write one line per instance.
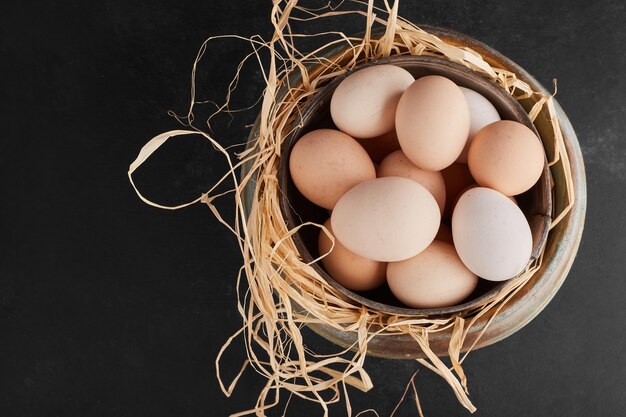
(386, 219)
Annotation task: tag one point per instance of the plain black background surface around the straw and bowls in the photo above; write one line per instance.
(109, 307)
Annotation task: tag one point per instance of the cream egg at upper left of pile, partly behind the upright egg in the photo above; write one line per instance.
(364, 104)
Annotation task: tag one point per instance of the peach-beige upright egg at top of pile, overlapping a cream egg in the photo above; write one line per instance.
(432, 122)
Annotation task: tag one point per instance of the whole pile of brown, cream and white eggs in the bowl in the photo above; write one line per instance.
(408, 158)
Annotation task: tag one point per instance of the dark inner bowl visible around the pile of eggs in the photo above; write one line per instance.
(536, 203)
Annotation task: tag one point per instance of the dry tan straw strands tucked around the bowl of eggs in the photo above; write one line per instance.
(278, 293)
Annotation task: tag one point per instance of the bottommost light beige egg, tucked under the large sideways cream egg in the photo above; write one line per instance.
(434, 278)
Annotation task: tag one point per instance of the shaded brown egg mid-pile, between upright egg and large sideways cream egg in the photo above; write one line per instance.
(398, 165)
